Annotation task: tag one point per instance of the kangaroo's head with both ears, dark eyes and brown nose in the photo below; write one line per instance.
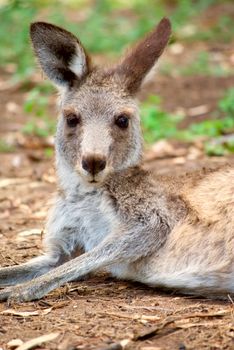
(99, 126)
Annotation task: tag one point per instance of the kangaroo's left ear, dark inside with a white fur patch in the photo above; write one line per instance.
(60, 54)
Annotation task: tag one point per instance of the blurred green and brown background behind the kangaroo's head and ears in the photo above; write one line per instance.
(201, 46)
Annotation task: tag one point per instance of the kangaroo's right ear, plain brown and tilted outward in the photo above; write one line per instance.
(133, 69)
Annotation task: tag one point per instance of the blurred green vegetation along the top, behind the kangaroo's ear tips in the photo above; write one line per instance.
(96, 21)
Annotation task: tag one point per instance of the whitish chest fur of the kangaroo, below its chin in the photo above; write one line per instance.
(83, 220)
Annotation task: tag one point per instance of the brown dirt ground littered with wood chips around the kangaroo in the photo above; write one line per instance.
(101, 312)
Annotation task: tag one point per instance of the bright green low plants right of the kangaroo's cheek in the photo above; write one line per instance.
(158, 124)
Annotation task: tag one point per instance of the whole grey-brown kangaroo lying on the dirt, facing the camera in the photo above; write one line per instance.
(110, 214)
